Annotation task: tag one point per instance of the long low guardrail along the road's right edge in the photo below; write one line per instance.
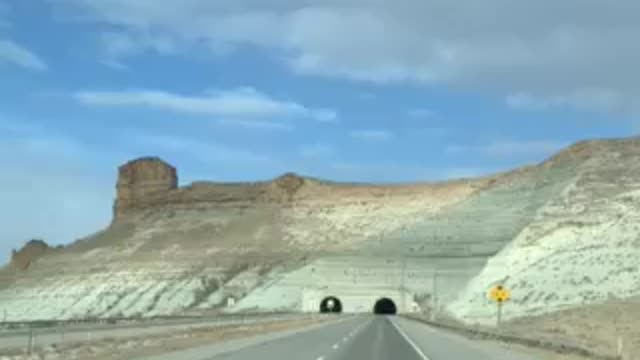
(544, 344)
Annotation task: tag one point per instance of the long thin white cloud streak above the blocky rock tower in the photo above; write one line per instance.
(237, 103)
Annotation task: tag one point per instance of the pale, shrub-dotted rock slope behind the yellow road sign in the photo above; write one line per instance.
(581, 247)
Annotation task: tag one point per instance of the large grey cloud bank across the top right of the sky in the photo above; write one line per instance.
(543, 48)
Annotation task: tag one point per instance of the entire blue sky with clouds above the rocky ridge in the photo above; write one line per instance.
(353, 90)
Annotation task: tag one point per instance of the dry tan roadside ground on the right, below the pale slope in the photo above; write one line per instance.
(604, 331)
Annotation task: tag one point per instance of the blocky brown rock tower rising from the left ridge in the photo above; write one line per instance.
(142, 179)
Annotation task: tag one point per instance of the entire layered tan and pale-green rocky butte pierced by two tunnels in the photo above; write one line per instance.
(560, 234)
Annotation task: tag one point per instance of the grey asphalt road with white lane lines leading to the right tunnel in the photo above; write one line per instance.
(358, 338)
